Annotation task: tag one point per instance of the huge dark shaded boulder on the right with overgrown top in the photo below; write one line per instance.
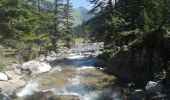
(140, 61)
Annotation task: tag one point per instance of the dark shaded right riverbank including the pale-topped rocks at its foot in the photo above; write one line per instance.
(145, 63)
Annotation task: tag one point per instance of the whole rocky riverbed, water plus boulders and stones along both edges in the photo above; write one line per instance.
(71, 75)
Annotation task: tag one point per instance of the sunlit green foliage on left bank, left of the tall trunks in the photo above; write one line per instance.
(23, 24)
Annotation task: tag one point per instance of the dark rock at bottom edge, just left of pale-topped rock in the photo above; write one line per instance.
(139, 95)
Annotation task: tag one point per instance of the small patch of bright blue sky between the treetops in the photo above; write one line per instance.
(80, 3)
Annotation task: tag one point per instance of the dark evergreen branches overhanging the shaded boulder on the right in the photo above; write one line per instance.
(124, 21)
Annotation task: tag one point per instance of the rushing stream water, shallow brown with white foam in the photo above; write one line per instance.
(74, 75)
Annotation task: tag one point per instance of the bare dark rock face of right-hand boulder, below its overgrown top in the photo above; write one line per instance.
(134, 65)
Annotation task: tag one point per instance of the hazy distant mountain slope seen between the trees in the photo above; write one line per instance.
(80, 14)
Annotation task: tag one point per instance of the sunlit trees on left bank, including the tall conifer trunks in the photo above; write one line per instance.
(34, 26)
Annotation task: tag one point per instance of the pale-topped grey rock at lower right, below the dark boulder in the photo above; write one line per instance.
(154, 87)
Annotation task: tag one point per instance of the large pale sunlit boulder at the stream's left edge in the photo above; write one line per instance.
(36, 67)
